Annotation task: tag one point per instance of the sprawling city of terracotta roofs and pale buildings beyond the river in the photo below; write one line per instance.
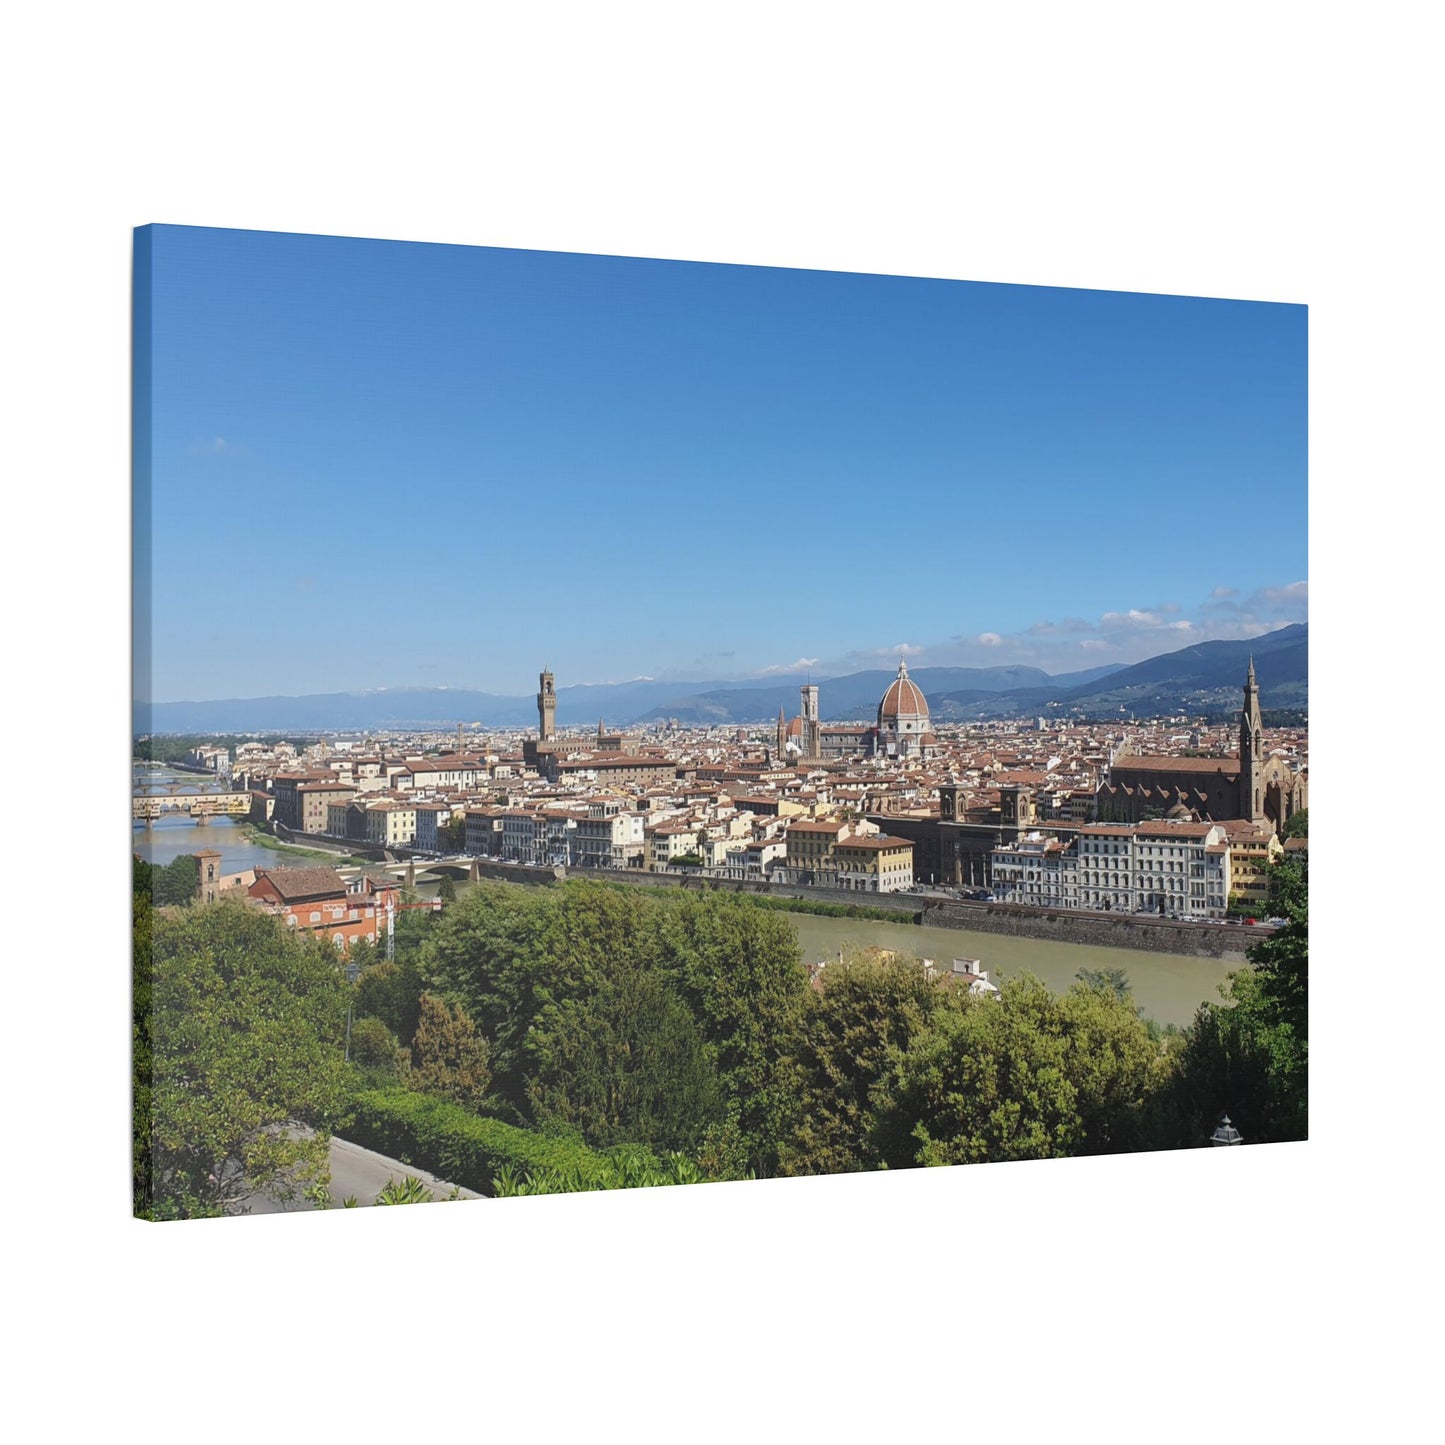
(1189, 817)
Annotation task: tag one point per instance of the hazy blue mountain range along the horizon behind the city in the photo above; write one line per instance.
(1203, 678)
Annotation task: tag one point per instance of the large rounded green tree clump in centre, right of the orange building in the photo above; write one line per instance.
(634, 1018)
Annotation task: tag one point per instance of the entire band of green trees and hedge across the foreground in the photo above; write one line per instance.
(586, 1037)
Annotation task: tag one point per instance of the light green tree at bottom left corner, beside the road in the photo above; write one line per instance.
(243, 1061)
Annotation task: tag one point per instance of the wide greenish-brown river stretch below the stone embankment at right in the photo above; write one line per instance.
(1167, 986)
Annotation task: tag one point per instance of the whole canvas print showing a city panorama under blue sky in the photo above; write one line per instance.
(609, 723)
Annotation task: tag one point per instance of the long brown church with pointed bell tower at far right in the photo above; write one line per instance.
(1251, 785)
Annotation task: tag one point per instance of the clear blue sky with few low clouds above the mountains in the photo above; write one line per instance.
(389, 465)
